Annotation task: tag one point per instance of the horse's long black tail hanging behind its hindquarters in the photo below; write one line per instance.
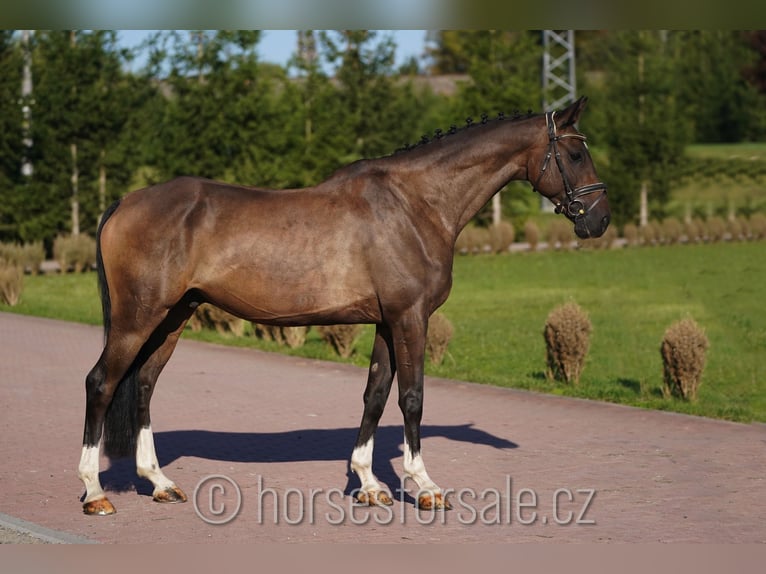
(121, 421)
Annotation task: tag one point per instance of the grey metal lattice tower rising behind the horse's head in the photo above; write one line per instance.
(559, 86)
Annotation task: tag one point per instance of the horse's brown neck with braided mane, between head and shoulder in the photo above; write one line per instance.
(458, 177)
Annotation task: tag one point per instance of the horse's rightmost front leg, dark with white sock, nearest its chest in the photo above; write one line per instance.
(409, 348)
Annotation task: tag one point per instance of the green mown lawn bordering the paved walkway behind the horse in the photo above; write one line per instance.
(499, 305)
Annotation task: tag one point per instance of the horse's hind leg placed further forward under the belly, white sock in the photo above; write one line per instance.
(159, 349)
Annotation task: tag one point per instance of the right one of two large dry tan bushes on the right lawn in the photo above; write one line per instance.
(683, 357)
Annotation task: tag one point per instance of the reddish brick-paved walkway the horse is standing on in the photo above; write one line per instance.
(264, 440)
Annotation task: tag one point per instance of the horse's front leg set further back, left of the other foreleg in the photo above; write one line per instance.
(379, 380)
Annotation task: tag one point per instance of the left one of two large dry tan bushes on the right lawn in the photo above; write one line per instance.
(567, 340)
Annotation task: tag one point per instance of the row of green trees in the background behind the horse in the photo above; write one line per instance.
(202, 103)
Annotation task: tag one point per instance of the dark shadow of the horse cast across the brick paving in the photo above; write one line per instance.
(289, 446)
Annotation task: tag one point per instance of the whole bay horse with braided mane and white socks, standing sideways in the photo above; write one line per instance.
(374, 244)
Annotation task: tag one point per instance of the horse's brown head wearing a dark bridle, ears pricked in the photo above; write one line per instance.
(570, 180)
